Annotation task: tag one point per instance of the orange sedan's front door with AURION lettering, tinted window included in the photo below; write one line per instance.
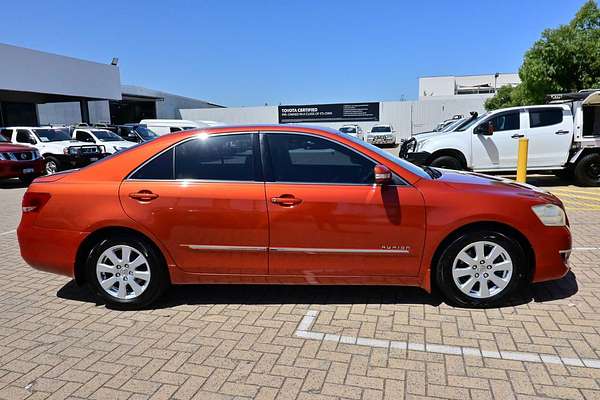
(327, 218)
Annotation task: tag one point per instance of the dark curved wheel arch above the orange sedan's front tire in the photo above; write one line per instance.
(500, 227)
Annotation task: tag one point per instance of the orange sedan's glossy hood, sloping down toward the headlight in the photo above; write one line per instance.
(463, 180)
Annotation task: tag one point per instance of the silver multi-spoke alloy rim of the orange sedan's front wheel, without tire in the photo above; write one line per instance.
(482, 269)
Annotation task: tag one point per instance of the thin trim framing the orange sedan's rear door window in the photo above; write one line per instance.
(257, 161)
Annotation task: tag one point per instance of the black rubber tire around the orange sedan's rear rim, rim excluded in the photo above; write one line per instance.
(159, 277)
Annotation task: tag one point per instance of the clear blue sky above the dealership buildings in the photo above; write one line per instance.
(245, 53)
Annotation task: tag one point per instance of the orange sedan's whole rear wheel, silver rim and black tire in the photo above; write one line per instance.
(126, 272)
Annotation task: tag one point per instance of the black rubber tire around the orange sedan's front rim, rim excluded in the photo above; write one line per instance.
(445, 281)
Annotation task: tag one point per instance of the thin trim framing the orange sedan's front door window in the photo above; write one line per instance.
(268, 168)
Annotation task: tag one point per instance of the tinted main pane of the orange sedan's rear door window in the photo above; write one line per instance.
(226, 157)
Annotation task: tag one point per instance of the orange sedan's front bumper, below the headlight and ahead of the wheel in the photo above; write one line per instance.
(552, 250)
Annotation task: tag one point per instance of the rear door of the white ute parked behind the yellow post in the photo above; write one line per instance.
(550, 134)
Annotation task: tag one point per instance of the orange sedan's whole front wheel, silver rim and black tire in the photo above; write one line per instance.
(481, 269)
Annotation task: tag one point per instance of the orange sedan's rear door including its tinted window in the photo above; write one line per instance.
(204, 200)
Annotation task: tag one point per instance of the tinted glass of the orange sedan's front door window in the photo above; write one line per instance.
(309, 159)
